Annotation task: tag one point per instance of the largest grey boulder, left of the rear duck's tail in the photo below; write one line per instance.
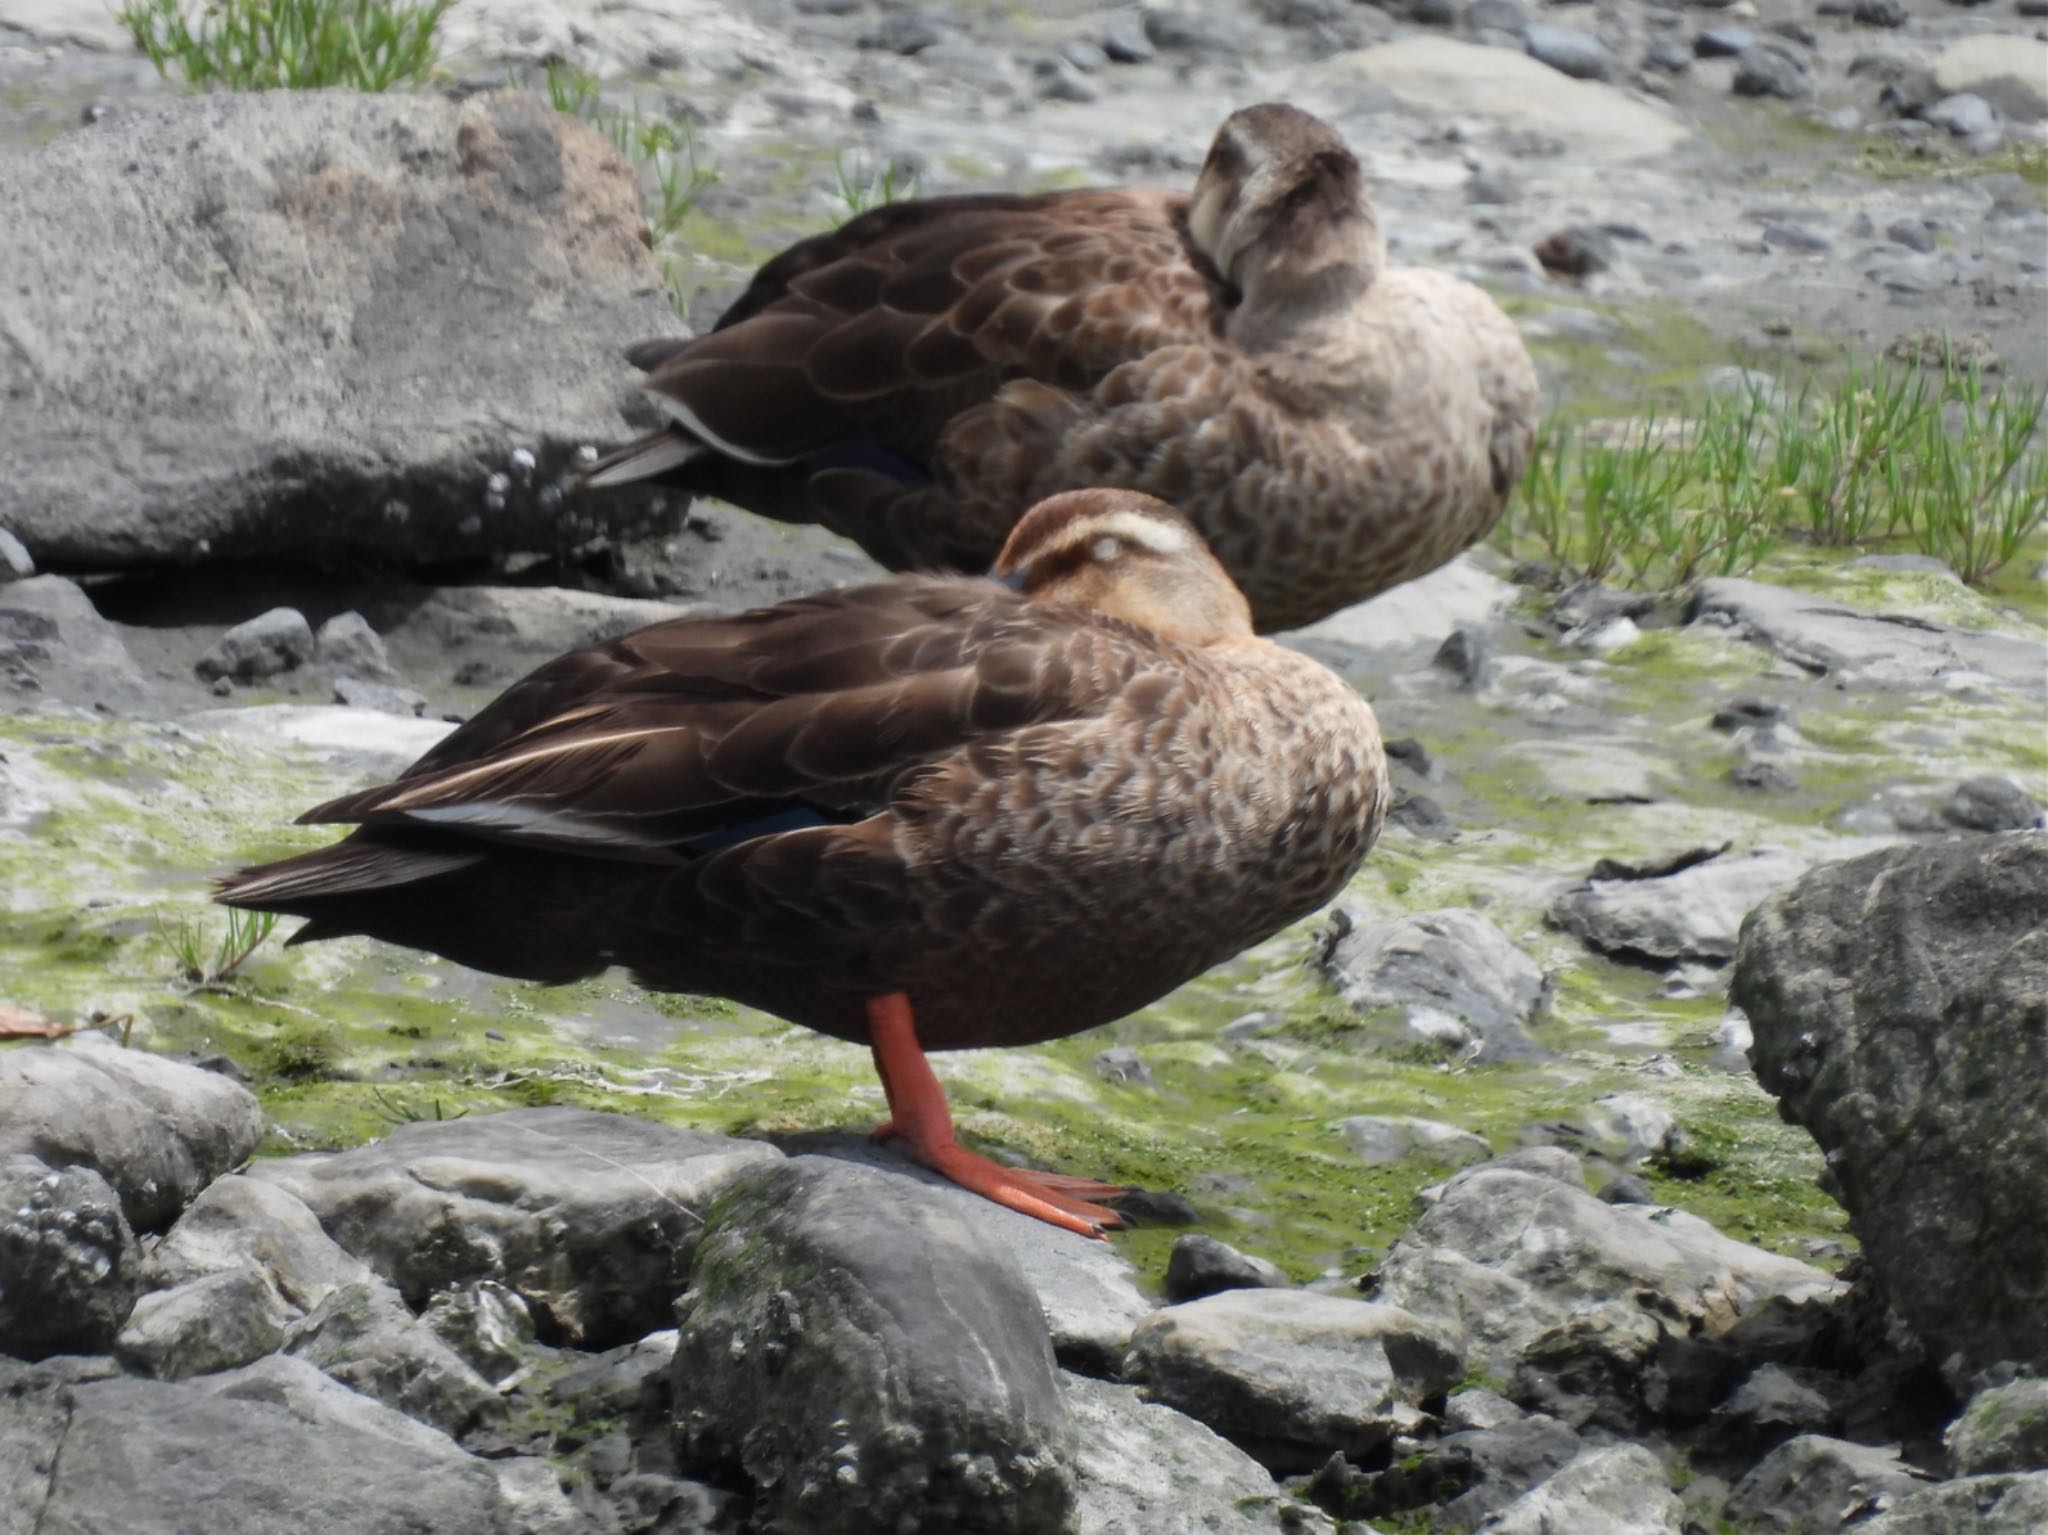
(316, 326)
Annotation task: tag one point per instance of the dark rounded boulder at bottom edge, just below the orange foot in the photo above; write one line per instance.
(871, 1362)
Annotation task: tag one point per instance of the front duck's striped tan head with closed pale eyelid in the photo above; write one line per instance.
(1129, 558)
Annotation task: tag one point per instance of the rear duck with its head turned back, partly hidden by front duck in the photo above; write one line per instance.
(923, 376)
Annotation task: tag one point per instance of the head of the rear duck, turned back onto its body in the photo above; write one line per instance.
(1281, 210)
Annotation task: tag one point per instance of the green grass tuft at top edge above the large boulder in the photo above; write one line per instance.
(290, 44)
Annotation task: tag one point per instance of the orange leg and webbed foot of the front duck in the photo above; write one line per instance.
(919, 1116)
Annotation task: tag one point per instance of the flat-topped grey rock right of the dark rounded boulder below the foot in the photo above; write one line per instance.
(1293, 1376)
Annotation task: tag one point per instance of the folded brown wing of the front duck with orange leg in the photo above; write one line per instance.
(699, 734)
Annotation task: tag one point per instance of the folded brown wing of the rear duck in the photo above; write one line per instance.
(916, 310)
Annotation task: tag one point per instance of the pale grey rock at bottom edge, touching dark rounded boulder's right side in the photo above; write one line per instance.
(1142, 1468)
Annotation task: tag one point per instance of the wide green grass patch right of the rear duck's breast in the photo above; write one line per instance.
(1940, 462)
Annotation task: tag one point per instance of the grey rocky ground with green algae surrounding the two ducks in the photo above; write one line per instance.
(1465, 1198)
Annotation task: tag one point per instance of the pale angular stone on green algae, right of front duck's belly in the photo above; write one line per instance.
(1445, 975)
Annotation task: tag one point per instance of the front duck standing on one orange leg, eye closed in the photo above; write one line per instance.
(933, 814)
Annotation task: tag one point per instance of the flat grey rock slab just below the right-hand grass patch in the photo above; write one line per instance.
(1859, 646)
